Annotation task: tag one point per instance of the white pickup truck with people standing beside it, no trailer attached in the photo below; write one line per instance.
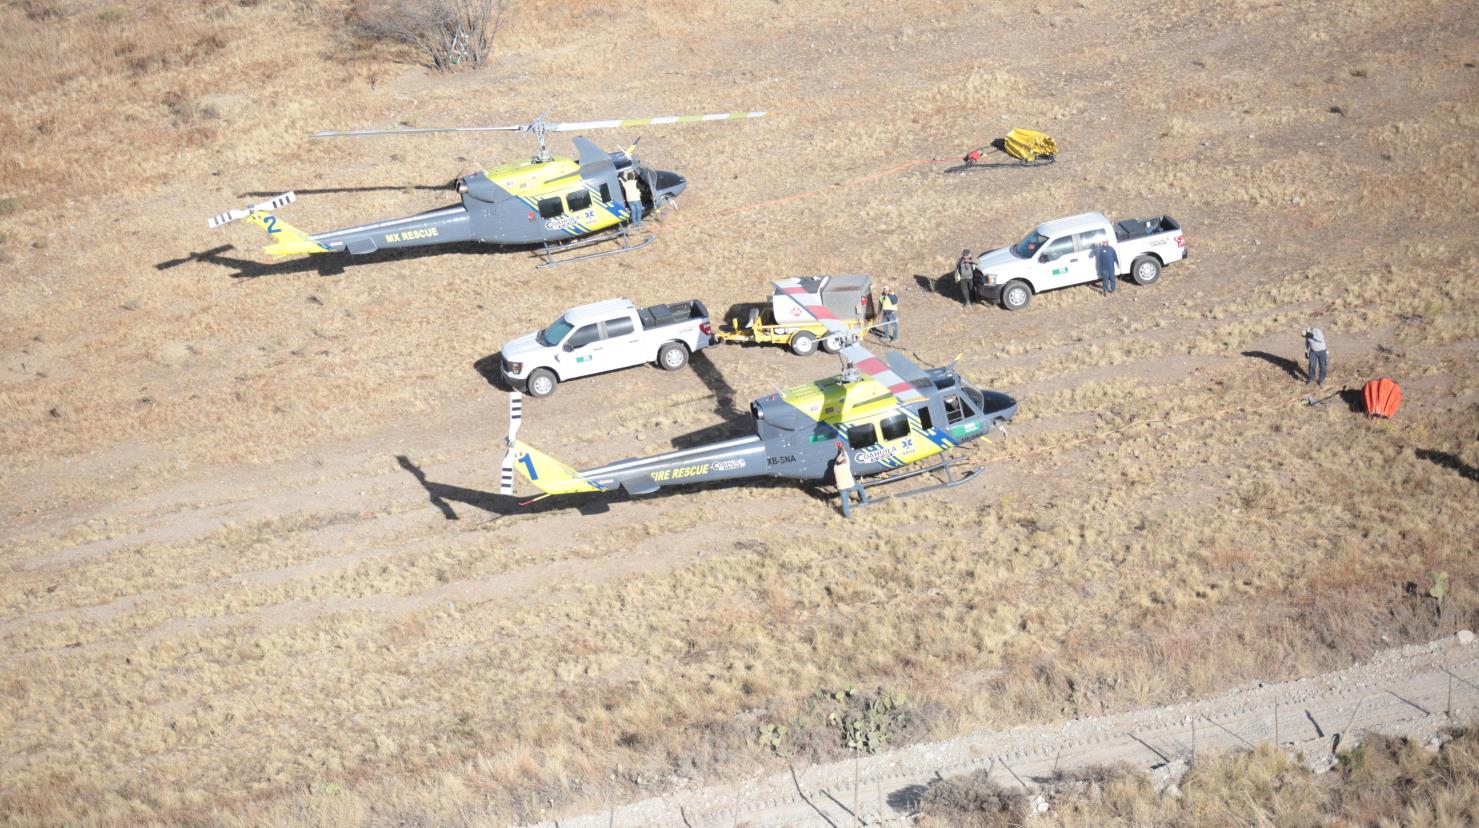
(1060, 254)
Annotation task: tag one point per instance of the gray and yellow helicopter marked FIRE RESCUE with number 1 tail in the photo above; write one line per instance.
(885, 413)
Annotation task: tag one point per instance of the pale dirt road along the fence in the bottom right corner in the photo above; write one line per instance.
(1413, 691)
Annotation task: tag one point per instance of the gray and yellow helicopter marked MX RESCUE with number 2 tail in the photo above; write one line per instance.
(552, 203)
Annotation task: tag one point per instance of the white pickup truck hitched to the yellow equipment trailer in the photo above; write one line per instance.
(606, 336)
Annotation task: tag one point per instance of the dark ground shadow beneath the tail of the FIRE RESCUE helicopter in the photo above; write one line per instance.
(588, 505)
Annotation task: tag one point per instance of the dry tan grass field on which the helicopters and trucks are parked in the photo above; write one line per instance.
(252, 569)
